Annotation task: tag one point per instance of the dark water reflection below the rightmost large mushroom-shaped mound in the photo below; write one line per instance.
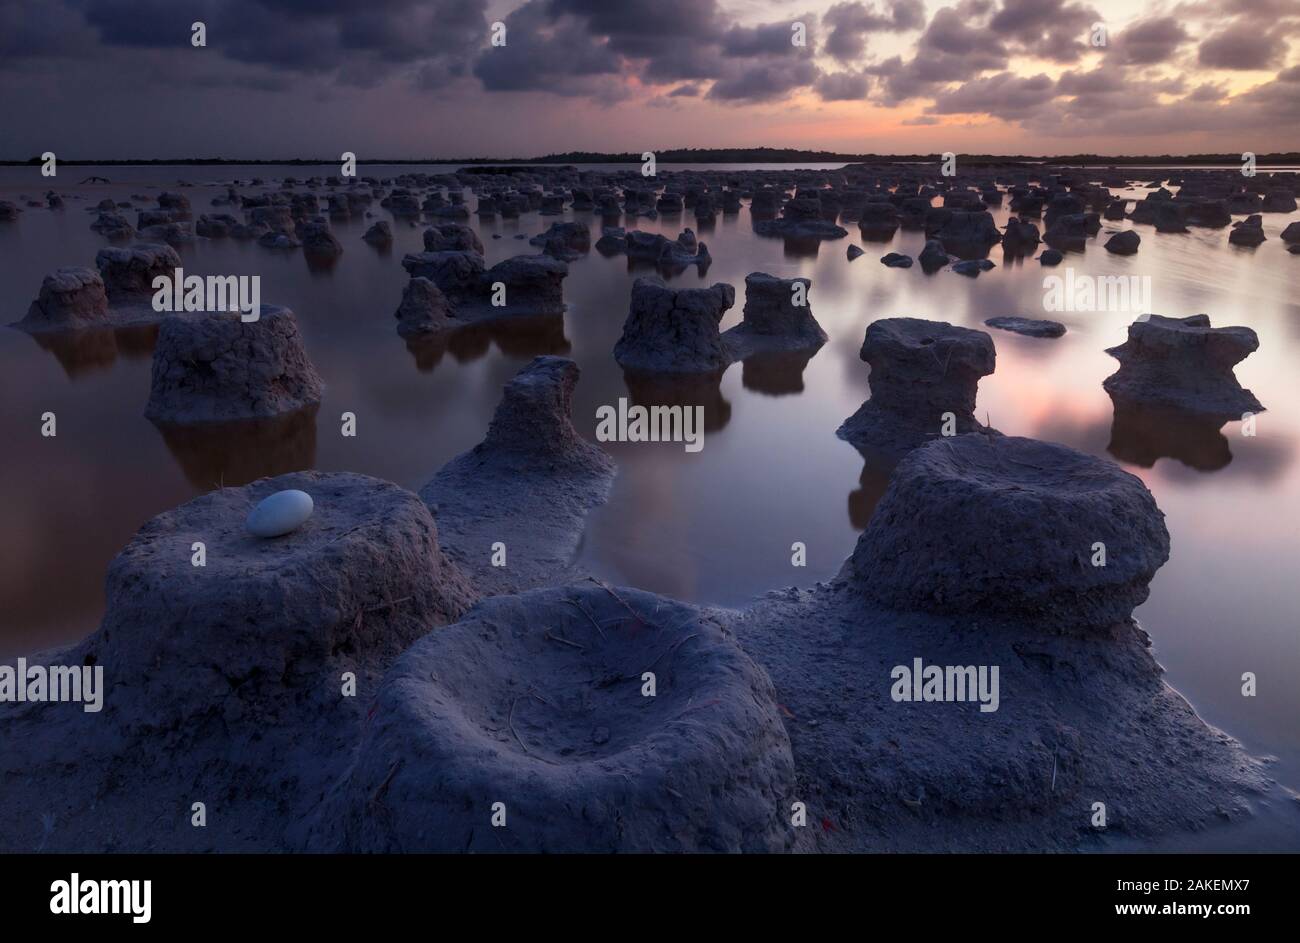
(1143, 434)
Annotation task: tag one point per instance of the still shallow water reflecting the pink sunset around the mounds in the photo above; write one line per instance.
(710, 527)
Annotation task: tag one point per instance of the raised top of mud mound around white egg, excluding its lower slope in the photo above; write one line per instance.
(356, 585)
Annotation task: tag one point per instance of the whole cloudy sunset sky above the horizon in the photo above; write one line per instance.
(417, 79)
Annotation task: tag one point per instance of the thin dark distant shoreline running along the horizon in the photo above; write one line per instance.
(760, 155)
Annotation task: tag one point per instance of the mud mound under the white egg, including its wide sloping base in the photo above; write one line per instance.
(226, 682)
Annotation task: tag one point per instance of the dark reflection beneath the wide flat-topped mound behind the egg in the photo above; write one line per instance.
(229, 455)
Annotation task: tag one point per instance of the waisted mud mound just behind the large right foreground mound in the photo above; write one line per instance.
(925, 377)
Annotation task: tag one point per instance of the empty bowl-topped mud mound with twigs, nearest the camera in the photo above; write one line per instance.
(532, 712)
